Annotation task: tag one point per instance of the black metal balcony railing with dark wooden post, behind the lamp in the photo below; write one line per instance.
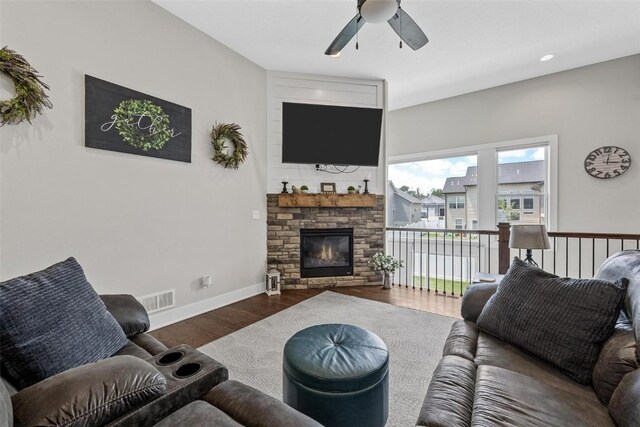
(446, 260)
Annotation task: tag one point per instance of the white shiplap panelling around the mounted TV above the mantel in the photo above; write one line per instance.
(304, 88)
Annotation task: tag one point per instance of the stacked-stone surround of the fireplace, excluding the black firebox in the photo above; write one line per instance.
(283, 240)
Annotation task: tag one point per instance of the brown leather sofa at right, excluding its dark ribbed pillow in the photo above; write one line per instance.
(483, 381)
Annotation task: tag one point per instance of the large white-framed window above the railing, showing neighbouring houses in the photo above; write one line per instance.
(512, 181)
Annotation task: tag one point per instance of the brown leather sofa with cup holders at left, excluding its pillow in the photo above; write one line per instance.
(144, 384)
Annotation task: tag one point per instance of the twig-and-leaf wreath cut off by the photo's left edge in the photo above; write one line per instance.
(30, 98)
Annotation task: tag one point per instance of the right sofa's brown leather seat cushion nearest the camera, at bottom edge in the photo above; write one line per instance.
(506, 398)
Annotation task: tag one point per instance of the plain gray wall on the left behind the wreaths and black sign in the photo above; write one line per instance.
(136, 224)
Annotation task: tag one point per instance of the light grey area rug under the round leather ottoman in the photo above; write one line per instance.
(253, 354)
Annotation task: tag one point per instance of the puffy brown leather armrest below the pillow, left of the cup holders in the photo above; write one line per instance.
(92, 394)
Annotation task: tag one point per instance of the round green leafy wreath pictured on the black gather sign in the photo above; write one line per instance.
(137, 132)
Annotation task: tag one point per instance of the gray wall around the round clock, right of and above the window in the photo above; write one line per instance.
(586, 107)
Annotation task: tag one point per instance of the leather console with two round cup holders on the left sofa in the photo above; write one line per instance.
(189, 373)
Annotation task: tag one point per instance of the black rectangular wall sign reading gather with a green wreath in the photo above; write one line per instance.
(123, 120)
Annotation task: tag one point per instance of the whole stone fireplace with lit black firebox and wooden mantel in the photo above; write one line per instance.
(310, 245)
